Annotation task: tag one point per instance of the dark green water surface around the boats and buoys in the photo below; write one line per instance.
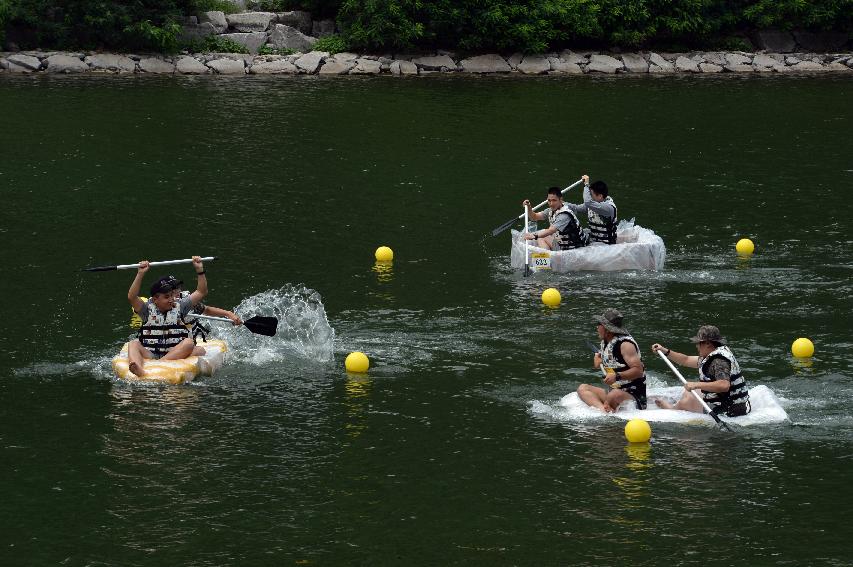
(439, 455)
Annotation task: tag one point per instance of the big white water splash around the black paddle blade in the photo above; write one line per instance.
(303, 329)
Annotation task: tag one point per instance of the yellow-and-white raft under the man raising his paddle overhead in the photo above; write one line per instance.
(175, 371)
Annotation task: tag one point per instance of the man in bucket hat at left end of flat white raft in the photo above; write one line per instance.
(620, 355)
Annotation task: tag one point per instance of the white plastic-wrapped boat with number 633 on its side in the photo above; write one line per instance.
(636, 248)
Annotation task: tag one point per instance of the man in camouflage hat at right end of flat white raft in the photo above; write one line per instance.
(721, 381)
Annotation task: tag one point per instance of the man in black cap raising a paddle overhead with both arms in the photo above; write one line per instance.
(164, 333)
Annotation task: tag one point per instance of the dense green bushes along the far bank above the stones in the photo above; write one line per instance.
(469, 25)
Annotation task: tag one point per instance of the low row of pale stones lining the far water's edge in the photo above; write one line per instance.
(322, 63)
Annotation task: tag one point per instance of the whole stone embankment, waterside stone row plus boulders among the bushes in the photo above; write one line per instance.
(268, 32)
